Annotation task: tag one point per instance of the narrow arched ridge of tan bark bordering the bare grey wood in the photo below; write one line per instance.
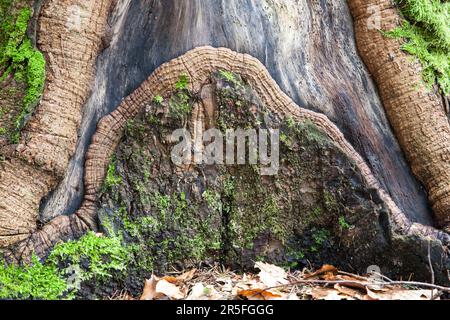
(198, 64)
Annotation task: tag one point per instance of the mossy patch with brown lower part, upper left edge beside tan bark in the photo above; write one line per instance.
(22, 68)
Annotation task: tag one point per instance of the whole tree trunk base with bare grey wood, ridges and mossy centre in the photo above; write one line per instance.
(345, 193)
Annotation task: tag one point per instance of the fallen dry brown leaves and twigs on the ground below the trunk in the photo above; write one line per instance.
(274, 283)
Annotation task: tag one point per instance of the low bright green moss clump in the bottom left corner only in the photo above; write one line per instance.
(33, 281)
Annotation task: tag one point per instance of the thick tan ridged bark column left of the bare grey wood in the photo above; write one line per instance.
(70, 37)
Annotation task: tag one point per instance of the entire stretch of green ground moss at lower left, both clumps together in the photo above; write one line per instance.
(91, 258)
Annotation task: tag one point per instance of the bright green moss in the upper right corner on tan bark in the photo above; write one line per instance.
(426, 30)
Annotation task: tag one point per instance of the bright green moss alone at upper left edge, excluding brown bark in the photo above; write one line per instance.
(20, 58)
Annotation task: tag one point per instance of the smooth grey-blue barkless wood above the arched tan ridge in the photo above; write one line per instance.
(307, 46)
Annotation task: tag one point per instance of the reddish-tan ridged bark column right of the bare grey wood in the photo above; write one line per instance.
(416, 114)
